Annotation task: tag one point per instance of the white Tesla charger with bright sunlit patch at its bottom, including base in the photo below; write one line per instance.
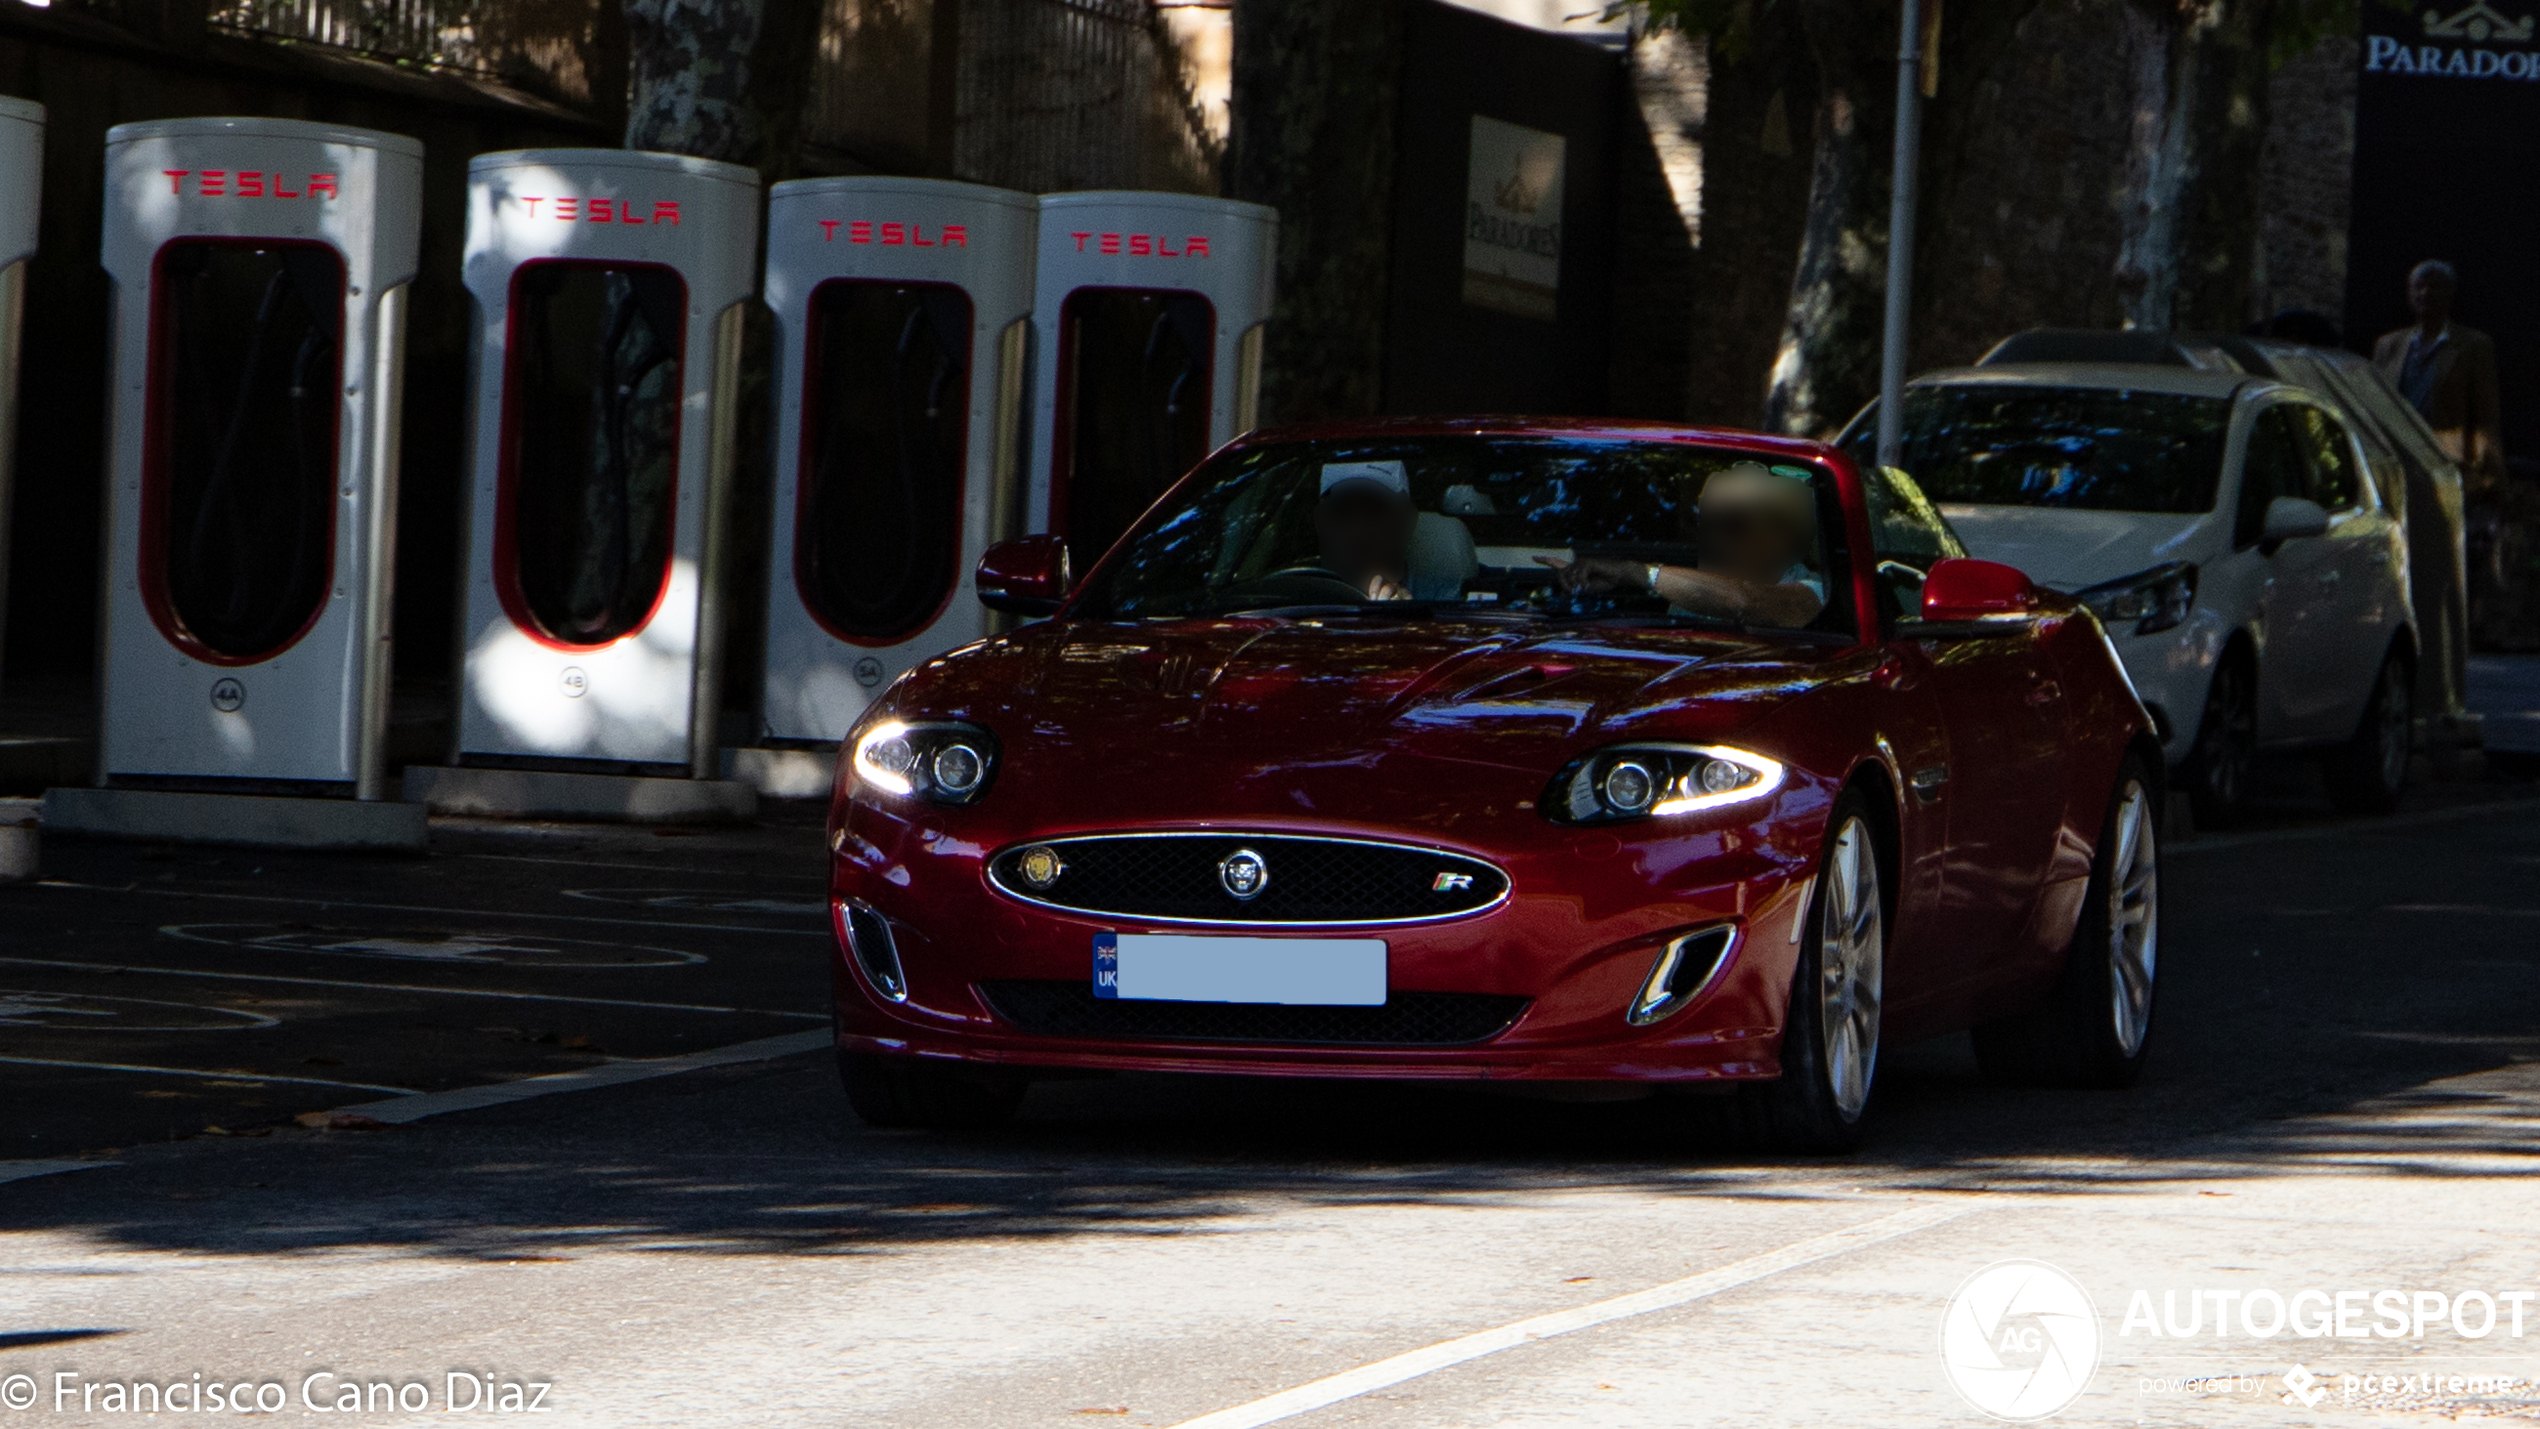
(608, 291)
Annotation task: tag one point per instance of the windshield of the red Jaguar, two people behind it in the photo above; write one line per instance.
(1487, 524)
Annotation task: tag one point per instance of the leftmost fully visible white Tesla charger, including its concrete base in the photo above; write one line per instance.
(260, 286)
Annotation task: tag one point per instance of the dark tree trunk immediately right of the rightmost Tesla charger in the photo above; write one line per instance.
(1314, 138)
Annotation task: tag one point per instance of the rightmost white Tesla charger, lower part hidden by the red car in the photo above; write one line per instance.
(1149, 308)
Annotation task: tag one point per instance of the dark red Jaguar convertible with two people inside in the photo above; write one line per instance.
(1505, 750)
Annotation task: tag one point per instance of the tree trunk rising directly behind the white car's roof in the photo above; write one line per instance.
(2191, 227)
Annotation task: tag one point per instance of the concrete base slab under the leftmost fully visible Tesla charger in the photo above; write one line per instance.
(245, 821)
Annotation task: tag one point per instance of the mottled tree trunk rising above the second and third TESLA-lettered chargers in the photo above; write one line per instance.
(723, 80)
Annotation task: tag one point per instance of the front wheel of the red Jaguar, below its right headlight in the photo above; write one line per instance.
(1830, 1047)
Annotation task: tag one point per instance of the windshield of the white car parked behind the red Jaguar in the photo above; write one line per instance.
(2069, 448)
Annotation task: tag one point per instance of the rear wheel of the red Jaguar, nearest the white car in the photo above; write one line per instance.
(2094, 1027)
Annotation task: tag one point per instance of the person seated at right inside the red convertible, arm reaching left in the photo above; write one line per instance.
(1756, 542)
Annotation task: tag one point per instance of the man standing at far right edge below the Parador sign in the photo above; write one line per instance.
(2450, 372)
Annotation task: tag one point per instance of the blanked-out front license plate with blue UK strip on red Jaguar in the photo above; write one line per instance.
(1187, 968)
